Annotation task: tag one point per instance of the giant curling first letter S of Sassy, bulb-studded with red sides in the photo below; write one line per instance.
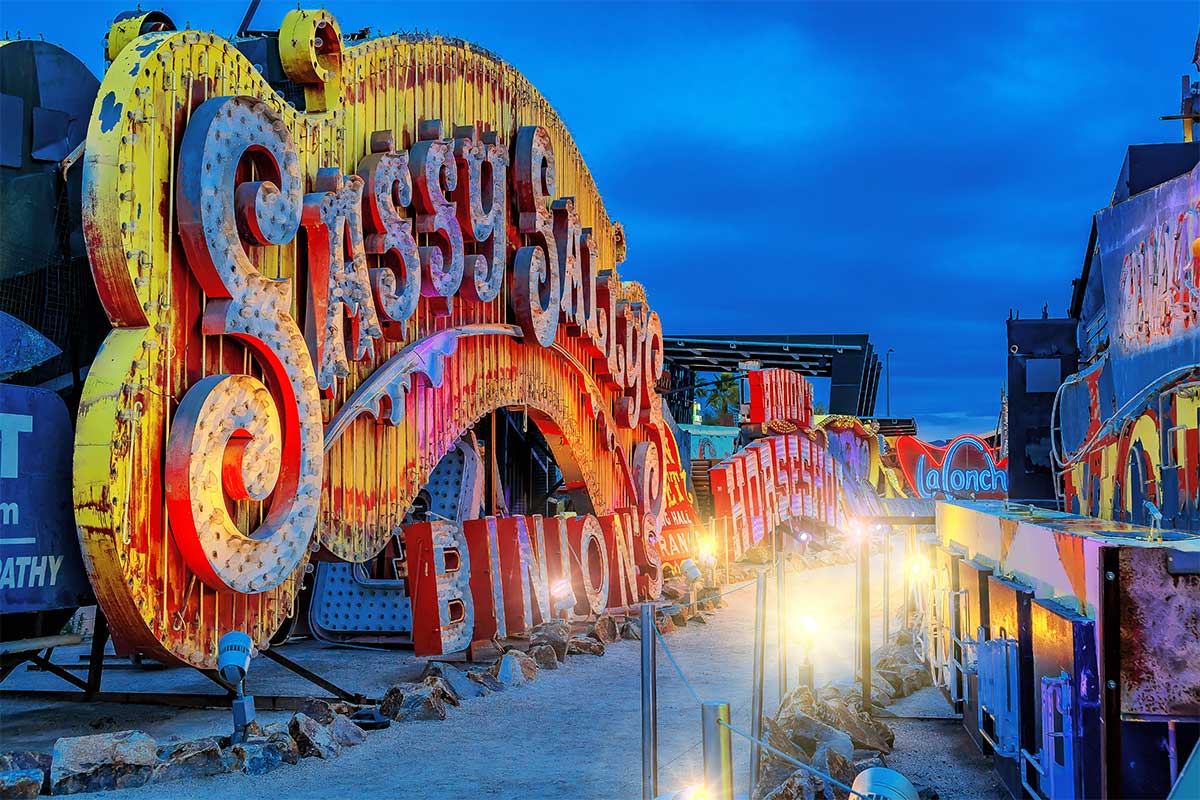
(233, 436)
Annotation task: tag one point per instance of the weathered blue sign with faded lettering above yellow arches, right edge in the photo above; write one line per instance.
(1131, 420)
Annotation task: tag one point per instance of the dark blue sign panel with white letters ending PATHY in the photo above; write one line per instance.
(41, 568)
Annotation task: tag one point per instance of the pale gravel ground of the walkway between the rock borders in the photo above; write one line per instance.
(574, 735)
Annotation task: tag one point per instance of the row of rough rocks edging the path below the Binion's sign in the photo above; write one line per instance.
(325, 727)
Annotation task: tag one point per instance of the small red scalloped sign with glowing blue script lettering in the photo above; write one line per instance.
(967, 468)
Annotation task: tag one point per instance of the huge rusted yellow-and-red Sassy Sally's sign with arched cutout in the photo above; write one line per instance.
(311, 308)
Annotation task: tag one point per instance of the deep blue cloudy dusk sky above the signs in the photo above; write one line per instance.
(911, 172)
